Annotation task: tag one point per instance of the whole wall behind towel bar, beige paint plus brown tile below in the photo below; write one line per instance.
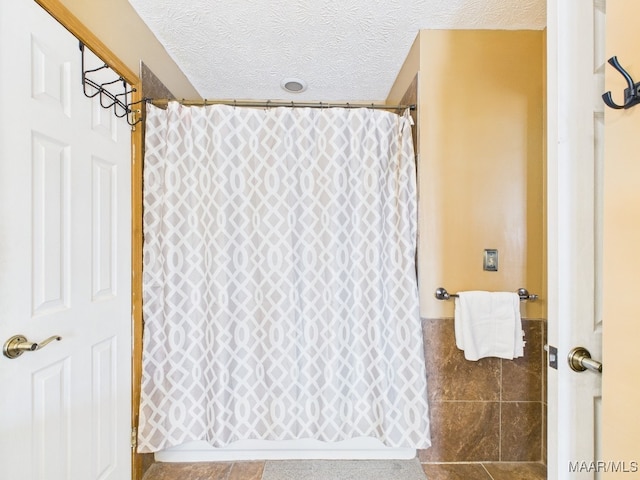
(481, 167)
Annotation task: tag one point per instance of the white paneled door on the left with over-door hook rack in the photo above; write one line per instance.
(64, 261)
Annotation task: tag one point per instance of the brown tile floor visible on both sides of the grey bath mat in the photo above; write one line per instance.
(434, 471)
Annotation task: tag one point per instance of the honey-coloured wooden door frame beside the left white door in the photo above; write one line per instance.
(68, 20)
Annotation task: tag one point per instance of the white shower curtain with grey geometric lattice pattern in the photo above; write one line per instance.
(280, 296)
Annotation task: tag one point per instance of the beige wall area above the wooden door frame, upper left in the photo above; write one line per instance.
(117, 24)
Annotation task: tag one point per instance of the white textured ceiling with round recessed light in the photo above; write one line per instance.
(345, 50)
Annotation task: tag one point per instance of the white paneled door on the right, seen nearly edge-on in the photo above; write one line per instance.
(575, 65)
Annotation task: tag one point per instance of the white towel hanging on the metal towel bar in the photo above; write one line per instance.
(488, 324)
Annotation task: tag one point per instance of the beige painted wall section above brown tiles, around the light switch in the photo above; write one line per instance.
(481, 161)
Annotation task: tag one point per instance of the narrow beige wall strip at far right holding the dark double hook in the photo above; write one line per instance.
(621, 333)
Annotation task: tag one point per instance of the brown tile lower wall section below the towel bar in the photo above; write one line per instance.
(491, 410)
